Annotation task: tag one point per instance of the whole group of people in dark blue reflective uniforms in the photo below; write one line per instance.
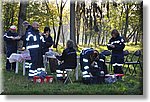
(92, 62)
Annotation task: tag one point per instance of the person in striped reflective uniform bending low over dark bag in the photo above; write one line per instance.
(92, 66)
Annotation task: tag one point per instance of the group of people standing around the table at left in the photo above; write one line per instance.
(37, 43)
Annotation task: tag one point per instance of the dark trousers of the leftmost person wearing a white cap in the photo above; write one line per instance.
(10, 66)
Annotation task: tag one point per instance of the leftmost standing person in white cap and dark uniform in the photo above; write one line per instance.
(11, 38)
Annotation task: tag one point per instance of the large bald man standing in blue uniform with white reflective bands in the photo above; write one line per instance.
(34, 46)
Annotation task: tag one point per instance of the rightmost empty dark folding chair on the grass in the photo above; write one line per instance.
(135, 60)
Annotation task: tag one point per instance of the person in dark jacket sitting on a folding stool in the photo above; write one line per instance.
(68, 59)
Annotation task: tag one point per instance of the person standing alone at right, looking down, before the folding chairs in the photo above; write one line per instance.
(116, 44)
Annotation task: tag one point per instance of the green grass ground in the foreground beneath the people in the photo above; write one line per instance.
(15, 84)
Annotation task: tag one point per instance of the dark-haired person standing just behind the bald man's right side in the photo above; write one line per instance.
(48, 40)
